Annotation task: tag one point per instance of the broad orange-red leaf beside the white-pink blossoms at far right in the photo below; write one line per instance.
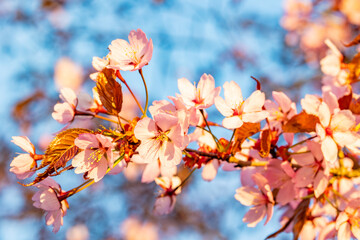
(301, 122)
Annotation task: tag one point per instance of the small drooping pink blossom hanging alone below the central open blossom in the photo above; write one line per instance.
(165, 203)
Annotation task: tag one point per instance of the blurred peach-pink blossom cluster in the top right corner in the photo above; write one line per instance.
(309, 23)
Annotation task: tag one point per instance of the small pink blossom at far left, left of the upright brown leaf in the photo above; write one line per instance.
(65, 112)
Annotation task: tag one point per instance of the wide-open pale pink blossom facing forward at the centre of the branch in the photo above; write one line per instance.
(160, 138)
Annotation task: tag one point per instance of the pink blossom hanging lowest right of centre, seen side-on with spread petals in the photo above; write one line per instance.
(261, 198)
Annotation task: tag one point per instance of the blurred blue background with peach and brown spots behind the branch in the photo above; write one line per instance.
(49, 44)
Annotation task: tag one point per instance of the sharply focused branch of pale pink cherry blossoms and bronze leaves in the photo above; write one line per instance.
(304, 163)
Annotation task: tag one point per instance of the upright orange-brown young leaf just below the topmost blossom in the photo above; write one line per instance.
(109, 91)
